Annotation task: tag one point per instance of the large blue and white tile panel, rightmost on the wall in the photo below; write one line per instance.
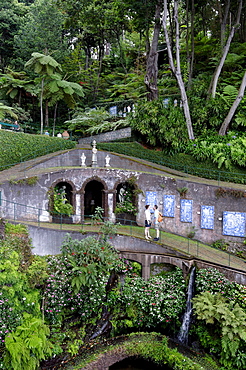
(234, 223)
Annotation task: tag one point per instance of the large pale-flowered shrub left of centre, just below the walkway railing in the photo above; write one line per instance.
(78, 277)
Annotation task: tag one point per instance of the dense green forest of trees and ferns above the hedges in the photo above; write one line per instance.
(57, 60)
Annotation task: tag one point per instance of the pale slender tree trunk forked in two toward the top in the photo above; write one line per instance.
(177, 70)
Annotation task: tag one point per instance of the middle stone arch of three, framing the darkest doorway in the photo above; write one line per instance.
(94, 193)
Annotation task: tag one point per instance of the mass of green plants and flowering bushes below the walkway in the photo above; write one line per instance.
(53, 305)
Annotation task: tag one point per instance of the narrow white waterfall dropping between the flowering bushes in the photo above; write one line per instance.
(184, 330)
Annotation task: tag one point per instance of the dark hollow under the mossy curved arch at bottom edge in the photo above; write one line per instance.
(133, 363)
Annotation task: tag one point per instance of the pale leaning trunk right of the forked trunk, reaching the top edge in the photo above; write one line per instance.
(214, 82)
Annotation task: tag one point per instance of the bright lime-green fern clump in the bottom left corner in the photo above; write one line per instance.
(27, 345)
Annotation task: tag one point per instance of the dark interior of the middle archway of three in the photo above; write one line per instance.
(93, 197)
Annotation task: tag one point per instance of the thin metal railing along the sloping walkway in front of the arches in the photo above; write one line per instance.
(20, 213)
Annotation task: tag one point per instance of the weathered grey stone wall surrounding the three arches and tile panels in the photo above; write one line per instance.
(22, 201)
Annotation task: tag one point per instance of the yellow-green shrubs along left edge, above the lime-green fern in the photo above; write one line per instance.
(17, 296)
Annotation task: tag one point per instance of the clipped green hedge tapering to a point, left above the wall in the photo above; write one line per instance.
(21, 147)
